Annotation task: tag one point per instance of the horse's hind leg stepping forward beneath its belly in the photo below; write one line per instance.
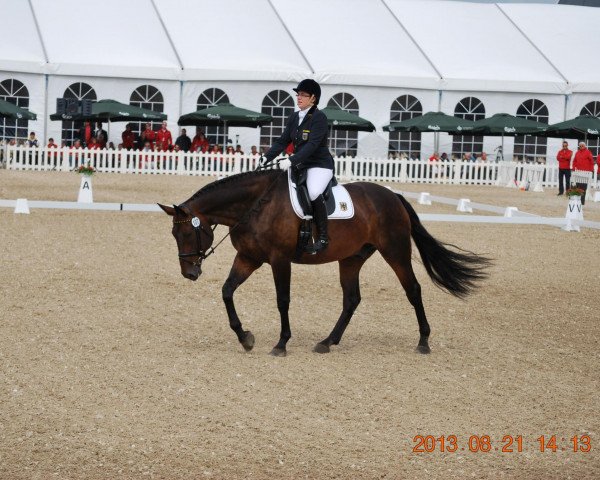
(349, 272)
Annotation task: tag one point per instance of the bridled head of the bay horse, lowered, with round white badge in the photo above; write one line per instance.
(194, 237)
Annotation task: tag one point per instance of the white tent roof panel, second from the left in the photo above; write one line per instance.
(110, 38)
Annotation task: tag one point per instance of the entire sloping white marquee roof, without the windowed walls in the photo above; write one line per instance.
(428, 44)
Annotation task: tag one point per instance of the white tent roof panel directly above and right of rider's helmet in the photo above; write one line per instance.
(357, 42)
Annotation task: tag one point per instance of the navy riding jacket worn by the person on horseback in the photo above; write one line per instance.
(310, 141)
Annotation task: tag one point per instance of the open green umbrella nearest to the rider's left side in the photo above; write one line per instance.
(225, 114)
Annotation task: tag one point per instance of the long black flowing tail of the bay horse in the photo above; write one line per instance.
(457, 271)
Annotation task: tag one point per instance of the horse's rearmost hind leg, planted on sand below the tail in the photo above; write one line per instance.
(401, 264)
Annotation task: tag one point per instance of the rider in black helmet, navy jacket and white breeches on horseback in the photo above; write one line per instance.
(307, 129)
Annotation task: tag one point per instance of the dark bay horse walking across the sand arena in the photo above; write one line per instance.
(264, 229)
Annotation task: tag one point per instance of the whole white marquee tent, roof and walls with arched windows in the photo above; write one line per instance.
(374, 51)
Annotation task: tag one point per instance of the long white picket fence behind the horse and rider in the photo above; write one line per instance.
(508, 174)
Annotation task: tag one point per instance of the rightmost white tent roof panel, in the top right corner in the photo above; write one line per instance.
(568, 36)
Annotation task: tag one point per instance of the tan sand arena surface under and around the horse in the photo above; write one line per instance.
(112, 365)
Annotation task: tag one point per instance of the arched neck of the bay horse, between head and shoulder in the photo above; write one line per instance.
(227, 202)
